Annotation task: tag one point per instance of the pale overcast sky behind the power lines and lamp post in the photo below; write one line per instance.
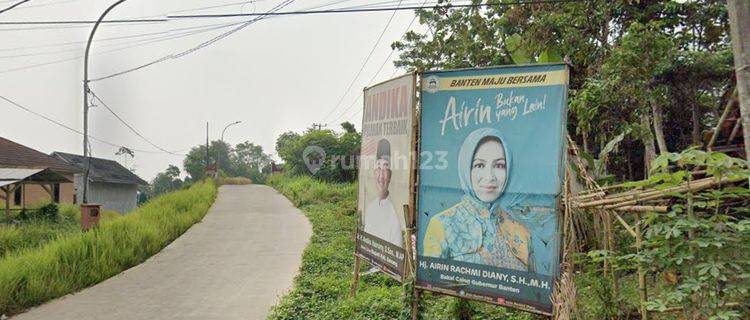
(280, 74)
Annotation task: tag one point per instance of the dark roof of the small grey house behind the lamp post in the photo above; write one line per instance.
(102, 170)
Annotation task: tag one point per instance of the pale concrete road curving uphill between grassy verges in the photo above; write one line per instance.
(233, 265)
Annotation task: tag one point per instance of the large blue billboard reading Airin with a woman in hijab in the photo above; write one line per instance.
(490, 173)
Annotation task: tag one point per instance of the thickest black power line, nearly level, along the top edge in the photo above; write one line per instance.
(449, 6)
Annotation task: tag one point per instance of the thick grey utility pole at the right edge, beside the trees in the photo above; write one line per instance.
(739, 21)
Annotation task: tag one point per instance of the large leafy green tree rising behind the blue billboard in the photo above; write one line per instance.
(624, 55)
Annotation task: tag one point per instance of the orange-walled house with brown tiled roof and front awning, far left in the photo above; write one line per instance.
(29, 177)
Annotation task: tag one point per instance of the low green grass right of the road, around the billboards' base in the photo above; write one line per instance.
(321, 289)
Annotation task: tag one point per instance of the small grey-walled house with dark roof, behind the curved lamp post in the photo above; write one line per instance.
(110, 184)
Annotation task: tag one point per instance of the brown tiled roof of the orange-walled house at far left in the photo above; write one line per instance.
(15, 155)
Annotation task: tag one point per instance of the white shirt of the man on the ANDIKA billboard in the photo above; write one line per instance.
(382, 221)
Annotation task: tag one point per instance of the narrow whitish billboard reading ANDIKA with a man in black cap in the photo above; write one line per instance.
(385, 173)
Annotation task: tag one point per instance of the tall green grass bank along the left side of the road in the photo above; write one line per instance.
(71, 262)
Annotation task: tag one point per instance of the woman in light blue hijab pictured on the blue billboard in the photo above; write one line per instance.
(479, 229)
